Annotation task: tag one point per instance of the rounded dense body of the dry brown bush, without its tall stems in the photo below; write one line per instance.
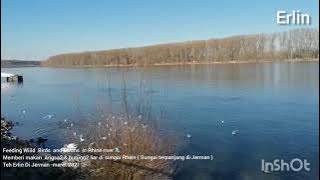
(133, 137)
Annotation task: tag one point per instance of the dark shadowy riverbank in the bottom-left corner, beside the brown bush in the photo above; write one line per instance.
(13, 164)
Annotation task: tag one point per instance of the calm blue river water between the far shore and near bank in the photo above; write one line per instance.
(273, 105)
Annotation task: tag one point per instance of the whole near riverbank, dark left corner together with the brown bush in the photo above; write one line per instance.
(123, 136)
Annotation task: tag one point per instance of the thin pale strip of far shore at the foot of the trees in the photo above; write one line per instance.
(191, 63)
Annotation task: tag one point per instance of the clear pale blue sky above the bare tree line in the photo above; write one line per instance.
(38, 29)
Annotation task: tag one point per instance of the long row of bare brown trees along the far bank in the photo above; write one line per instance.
(292, 45)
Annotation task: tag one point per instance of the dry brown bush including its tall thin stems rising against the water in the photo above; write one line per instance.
(133, 132)
